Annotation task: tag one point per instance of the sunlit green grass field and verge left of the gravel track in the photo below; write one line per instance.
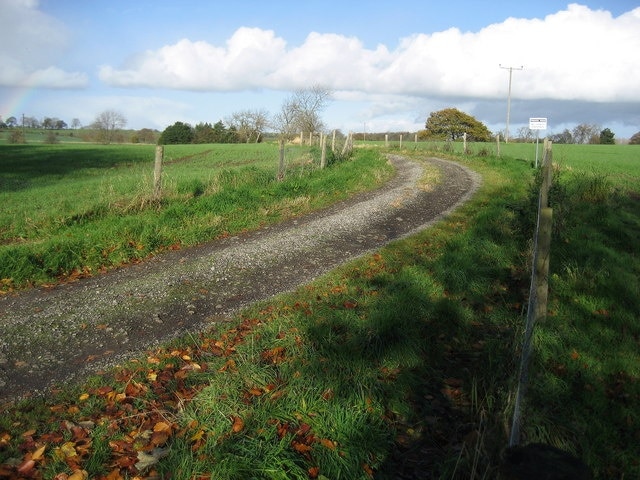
(81, 209)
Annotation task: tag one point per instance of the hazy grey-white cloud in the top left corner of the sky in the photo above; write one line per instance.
(30, 39)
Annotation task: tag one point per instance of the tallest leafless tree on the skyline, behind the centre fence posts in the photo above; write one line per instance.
(301, 111)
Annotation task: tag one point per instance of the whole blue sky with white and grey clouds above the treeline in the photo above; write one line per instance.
(388, 64)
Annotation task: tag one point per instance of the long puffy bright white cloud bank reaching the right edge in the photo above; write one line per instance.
(576, 54)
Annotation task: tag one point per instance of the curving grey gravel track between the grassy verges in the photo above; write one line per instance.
(60, 335)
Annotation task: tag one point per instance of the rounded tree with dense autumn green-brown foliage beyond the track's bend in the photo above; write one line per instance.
(452, 124)
